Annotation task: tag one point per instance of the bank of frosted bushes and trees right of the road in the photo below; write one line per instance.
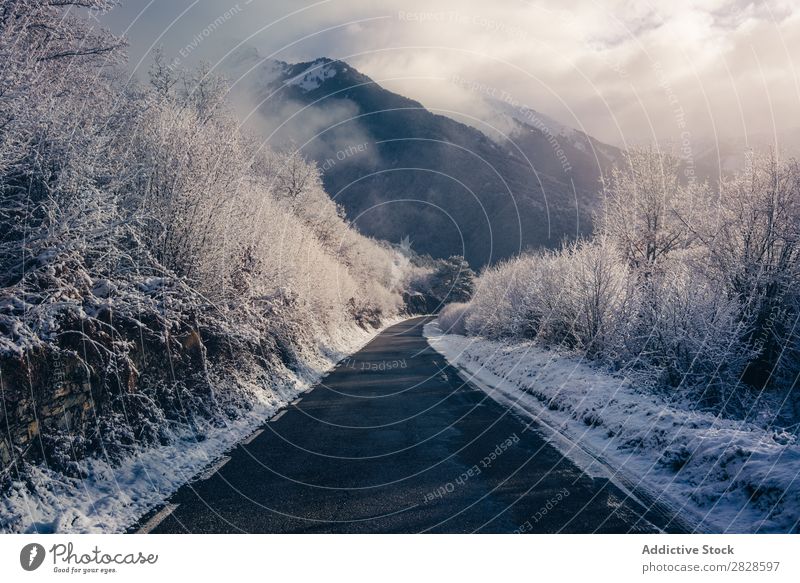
(694, 290)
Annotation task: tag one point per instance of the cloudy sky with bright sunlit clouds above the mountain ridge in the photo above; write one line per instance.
(686, 72)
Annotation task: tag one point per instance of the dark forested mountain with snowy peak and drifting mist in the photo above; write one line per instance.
(400, 170)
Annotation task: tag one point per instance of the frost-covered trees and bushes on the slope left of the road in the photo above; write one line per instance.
(186, 268)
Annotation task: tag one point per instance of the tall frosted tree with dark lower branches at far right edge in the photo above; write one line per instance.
(754, 252)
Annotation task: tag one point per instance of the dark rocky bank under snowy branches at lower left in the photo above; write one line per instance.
(93, 392)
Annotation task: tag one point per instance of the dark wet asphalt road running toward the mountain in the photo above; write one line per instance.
(394, 441)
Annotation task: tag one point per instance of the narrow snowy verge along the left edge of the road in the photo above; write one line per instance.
(113, 497)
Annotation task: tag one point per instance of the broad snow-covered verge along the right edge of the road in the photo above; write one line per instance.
(725, 475)
